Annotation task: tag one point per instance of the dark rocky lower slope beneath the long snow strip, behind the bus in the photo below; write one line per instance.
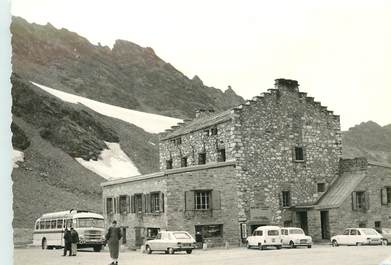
(51, 133)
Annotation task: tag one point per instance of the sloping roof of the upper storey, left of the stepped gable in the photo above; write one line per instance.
(200, 123)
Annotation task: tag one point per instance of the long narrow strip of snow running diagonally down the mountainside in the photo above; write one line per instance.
(152, 123)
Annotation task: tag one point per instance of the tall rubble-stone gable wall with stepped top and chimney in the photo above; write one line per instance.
(267, 129)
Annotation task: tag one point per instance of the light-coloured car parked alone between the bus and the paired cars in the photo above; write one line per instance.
(170, 242)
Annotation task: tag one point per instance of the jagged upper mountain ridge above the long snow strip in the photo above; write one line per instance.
(127, 75)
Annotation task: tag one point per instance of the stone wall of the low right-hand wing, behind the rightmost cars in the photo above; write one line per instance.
(343, 217)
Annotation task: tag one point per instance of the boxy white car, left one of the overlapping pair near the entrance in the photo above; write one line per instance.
(265, 236)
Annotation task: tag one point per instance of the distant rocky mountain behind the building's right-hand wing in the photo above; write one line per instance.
(368, 139)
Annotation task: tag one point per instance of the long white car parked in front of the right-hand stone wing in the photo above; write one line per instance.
(357, 236)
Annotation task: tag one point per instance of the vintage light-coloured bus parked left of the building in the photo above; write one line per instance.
(49, 229)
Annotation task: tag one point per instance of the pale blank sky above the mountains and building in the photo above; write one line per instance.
(339, 51)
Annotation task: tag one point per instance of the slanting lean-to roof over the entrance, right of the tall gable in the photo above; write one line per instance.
(341, 189)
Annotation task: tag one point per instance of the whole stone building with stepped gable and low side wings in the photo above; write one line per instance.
(274, 160)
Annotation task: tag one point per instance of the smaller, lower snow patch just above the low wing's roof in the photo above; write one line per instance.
(112, 163)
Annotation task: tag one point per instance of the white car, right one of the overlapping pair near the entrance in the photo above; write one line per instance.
(293, 237)
